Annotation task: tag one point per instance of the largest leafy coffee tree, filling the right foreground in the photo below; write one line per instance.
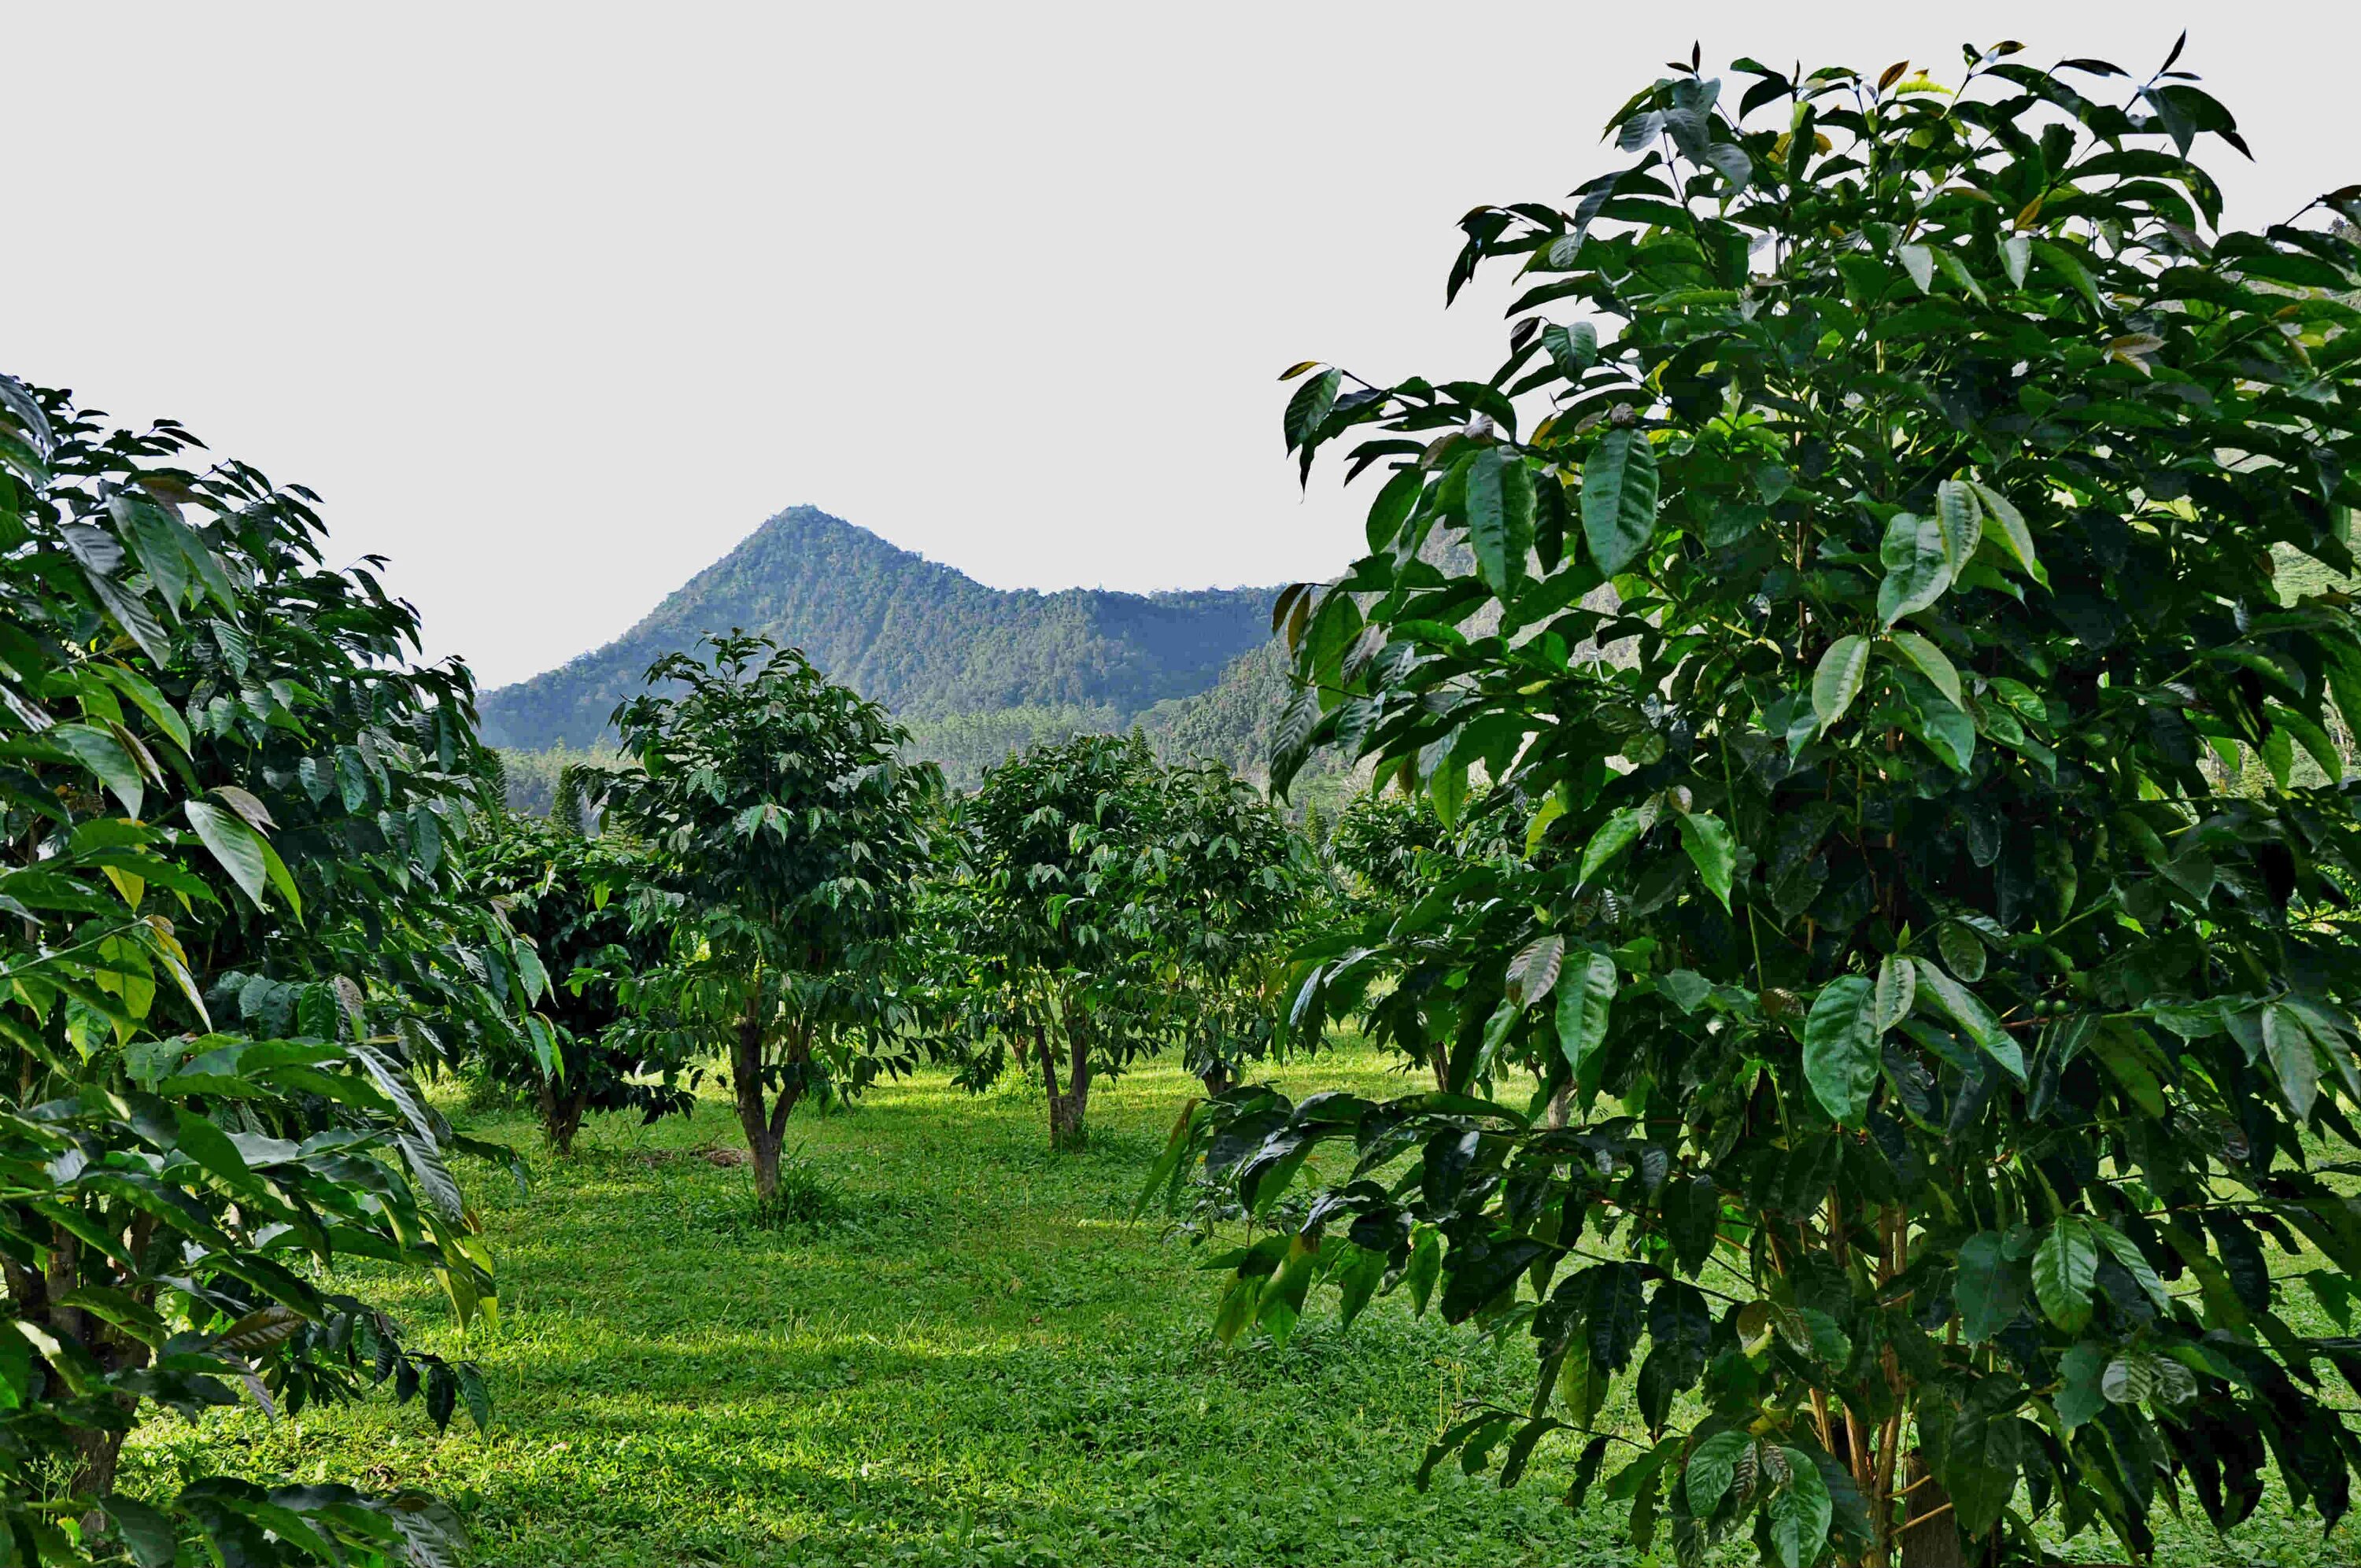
(1949, 1045)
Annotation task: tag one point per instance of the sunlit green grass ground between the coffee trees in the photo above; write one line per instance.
(979, 1361)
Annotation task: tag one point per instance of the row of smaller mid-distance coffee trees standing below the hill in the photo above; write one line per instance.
(771, 880)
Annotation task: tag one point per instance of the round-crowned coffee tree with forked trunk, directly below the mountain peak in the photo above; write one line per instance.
(787, 839)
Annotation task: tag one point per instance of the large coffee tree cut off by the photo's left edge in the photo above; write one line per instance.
(225, 929)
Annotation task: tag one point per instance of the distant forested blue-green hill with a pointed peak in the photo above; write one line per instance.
(972, 669)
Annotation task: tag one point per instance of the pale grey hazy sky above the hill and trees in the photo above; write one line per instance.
(556, 306)
